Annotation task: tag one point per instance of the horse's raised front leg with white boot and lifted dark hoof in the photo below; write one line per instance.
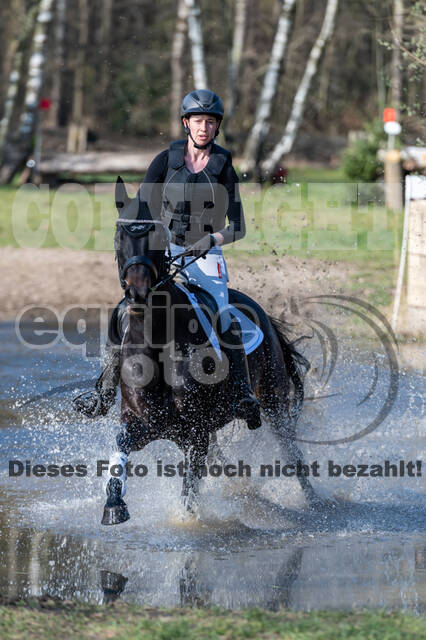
(115, 510)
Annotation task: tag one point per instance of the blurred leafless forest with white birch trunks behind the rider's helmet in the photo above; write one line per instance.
(118, 69)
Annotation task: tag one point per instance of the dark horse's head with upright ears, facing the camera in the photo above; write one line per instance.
(140, 244)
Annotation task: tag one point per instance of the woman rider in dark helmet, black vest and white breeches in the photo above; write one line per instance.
(188, 165)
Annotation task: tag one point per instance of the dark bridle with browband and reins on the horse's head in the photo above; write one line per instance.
(137, 228)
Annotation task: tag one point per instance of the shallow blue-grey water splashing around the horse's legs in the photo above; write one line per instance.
(256, 542)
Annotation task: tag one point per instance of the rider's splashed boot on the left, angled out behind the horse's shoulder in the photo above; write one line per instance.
(98, 402)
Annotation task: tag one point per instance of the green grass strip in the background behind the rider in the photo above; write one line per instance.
(316, 214)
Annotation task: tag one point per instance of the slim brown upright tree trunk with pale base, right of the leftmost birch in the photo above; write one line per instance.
(77, 131)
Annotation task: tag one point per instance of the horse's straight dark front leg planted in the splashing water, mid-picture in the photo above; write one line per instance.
(195, 449)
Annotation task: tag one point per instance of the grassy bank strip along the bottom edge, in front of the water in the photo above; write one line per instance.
(50, 619)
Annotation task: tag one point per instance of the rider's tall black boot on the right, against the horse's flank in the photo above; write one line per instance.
(247, 406)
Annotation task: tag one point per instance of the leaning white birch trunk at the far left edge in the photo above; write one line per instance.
(17, 150)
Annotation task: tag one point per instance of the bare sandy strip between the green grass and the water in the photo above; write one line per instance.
(60, 278)
